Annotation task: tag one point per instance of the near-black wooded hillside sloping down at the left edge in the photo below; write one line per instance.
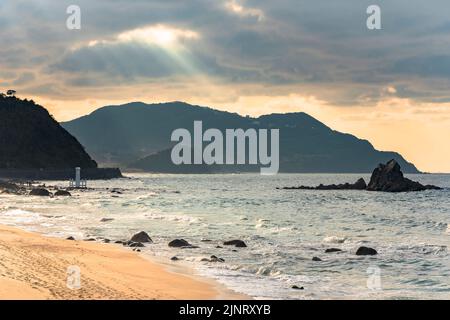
(31, 139)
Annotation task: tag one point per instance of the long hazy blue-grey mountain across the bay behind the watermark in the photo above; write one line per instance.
(123, 134)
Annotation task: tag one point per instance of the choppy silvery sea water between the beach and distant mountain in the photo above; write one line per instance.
(283, 230)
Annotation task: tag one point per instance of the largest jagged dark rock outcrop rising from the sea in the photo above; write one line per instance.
(389, 178)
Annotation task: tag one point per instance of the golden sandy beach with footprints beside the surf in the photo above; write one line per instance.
(36, 267)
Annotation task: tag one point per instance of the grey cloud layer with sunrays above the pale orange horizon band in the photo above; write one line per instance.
(292, 46)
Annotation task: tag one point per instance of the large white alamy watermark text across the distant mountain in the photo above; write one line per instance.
(237, 147)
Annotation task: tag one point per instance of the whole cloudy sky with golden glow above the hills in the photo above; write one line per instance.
(390, 86)
